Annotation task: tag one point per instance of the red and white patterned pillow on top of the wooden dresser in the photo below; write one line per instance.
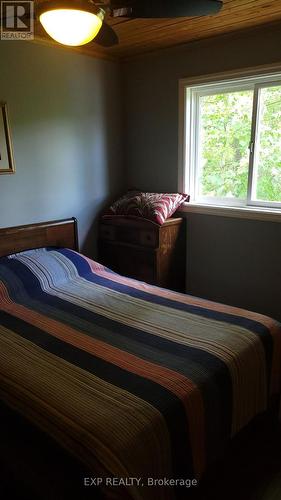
(156, 207)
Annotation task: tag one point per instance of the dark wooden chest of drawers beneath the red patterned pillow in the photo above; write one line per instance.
(143, 250)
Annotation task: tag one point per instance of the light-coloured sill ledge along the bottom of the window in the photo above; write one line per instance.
(252, 213)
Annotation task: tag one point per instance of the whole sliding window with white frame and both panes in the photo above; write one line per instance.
(232, 142)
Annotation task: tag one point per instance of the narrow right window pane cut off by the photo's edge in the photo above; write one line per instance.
(267, 186)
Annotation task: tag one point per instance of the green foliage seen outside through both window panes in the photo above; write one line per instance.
(226, 121)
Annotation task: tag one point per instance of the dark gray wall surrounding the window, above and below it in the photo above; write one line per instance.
(230, 260)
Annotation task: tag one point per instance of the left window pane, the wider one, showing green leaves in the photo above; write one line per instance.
(225, 132)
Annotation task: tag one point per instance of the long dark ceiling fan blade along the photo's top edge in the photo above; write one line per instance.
(166, 8)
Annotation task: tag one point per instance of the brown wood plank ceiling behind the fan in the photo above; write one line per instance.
(144, 35)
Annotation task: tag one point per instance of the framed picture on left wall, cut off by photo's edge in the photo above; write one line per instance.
(7, 164)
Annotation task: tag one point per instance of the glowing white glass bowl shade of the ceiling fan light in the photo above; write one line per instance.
(71, 26)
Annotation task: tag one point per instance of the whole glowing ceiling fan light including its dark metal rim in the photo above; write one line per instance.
(71, 23)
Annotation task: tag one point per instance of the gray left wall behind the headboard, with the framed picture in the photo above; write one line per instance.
(66, 123)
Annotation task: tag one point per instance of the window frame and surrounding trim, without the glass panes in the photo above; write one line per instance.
(189, 122)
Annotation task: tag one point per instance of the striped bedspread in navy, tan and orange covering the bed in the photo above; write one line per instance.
(134, 380)
